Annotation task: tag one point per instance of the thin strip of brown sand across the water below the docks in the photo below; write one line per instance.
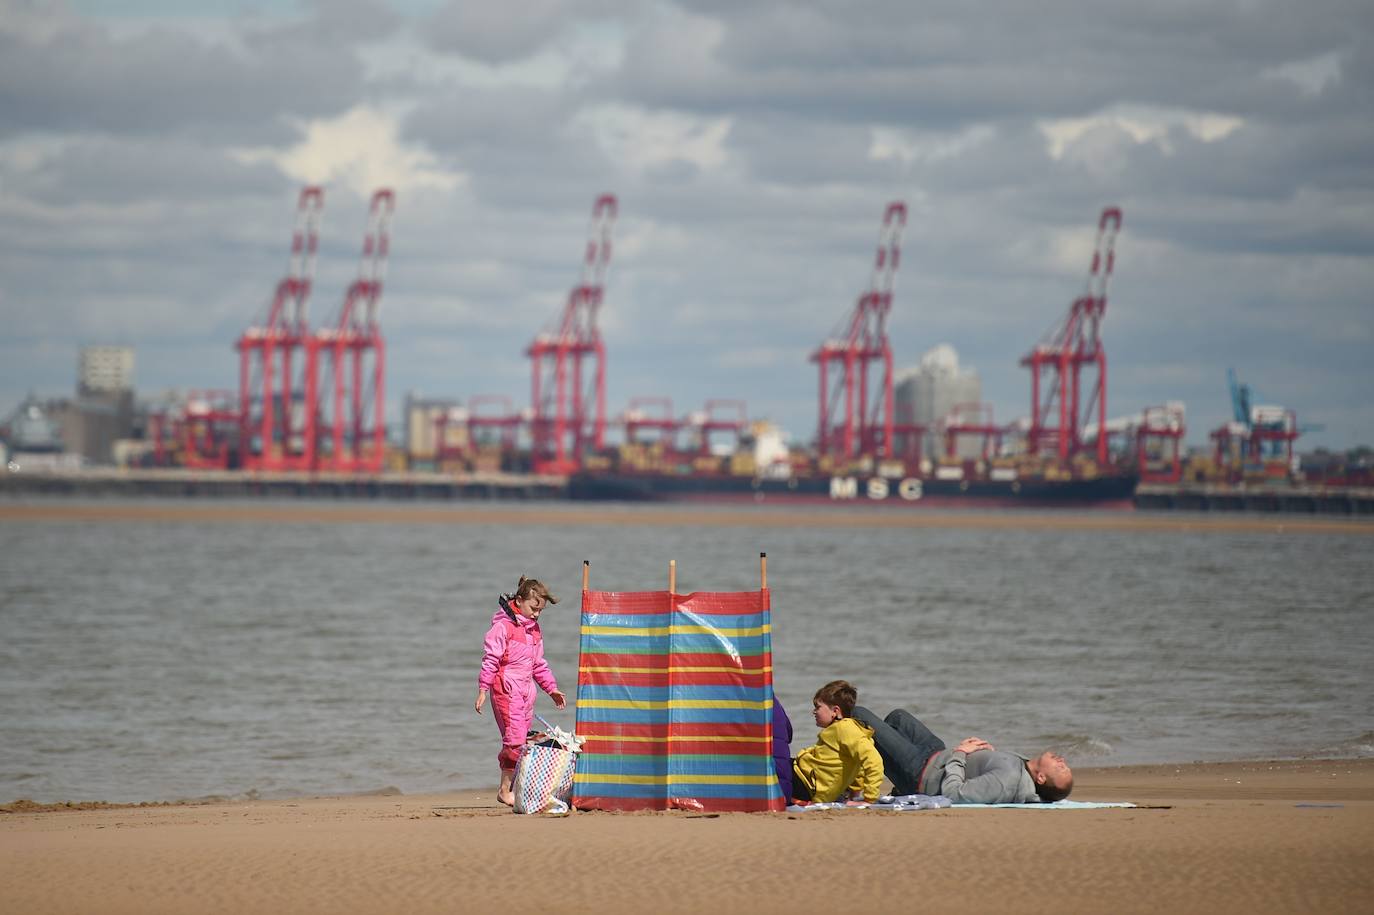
(582, 515)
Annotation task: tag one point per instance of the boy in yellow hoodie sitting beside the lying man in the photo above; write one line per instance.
(844, 758)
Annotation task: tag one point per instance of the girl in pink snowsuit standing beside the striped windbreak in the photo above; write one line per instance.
(513, 663)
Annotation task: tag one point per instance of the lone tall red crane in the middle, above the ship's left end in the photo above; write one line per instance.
(561, 428)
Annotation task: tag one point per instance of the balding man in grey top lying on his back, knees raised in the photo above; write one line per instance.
(972, 773)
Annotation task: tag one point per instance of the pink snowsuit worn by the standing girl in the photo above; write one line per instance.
(513, 663)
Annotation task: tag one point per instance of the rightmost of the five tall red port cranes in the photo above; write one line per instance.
(1059, 413)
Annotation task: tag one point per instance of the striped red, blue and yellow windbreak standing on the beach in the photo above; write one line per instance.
(675, 703)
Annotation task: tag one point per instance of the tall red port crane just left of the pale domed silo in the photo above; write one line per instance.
(857, 348)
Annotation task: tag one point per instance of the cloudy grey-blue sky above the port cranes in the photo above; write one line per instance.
(152, 152)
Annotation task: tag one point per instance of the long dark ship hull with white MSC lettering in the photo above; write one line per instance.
(1103, 493)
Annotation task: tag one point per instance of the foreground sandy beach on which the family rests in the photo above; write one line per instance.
(1236, 837)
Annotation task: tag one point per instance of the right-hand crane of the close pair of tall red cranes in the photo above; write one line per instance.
(350, 358)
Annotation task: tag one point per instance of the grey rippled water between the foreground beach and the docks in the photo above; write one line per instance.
(203, 657)
